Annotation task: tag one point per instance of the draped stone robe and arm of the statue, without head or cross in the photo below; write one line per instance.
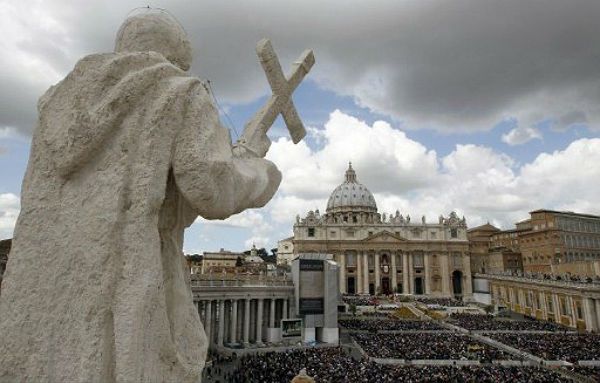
(127, 152)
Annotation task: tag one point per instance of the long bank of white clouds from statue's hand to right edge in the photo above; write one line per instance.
(476, 181)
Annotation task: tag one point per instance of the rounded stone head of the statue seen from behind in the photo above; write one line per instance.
(155, 31)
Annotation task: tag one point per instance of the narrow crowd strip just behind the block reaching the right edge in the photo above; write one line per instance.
(489, 322)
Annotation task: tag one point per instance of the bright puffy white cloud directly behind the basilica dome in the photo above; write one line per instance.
(381, 154)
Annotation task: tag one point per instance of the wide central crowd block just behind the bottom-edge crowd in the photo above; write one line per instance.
(418, 346)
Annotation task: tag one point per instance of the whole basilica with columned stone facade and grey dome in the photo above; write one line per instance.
(386, 253)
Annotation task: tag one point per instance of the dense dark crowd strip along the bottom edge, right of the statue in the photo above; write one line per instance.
(333, 365)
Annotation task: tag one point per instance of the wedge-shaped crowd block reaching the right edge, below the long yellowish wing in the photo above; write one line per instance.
(557, 346)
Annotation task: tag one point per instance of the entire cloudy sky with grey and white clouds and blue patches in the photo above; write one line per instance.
(489, 108)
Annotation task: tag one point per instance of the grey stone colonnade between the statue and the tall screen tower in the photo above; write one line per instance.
(244, 320)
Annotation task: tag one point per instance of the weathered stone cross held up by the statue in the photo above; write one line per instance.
(281, 100)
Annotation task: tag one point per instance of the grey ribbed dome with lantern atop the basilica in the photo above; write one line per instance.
(351, 196)
